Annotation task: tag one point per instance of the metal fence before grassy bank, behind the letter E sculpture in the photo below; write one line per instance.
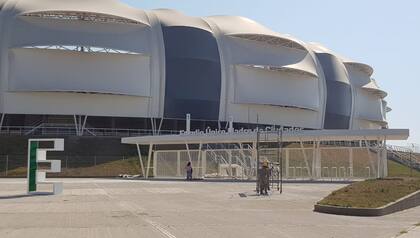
(75, 166)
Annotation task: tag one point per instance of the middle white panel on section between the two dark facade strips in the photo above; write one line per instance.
(260, 86)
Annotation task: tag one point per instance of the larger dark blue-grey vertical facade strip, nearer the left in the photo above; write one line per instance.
(193, 73)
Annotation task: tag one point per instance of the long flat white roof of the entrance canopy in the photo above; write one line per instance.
(287, 136)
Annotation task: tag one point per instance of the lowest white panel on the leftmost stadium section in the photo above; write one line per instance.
(74, 103)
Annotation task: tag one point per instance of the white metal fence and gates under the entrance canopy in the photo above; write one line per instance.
(336, 163)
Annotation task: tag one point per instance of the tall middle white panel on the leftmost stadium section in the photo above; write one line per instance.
(59, 70)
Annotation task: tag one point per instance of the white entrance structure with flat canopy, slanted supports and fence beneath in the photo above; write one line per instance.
(319, 154)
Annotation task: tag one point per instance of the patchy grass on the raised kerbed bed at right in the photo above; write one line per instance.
(372, 193)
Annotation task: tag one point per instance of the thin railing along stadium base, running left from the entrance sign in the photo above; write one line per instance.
(71, 131)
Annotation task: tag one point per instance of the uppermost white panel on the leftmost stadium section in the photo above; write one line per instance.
(39, 32)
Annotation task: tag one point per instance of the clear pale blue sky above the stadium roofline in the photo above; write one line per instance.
(382, 33)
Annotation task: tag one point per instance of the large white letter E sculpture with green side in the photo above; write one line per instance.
(37, 161)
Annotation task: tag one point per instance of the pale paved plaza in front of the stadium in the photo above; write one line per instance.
(115, 208)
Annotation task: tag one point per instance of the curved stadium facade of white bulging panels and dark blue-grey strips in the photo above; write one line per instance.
(103, 64)
